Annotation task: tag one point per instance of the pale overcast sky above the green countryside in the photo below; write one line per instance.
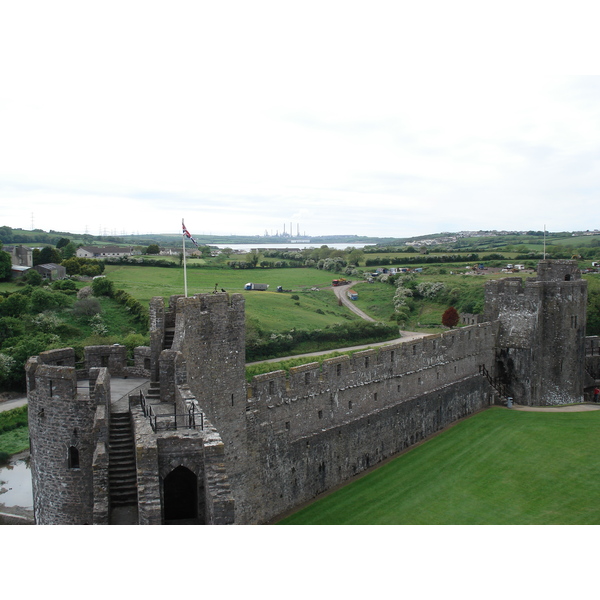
(368, 118)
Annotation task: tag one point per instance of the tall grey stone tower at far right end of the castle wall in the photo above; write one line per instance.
(540, 349)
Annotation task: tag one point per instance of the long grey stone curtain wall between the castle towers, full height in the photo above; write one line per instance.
(322, 425)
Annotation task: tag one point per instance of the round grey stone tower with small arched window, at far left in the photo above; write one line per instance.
(61, 431)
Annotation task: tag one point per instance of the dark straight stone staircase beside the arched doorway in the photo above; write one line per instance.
(122, 475)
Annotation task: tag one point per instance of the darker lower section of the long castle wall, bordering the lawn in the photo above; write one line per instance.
(294, 470)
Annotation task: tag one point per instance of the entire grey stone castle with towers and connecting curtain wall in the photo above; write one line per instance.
(196, 443)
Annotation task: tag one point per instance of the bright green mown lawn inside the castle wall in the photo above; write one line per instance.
(497, 467)
